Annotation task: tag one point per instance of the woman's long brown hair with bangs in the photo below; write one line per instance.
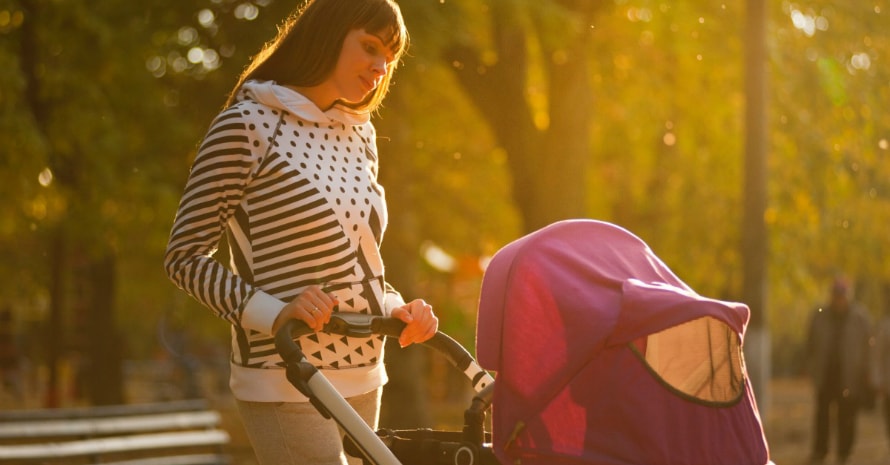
(307, 46)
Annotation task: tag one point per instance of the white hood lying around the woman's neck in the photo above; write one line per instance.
(277, 96)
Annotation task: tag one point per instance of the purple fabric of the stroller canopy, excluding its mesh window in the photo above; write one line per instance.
(557, 313)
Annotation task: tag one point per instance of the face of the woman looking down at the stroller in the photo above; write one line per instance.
(362, 64)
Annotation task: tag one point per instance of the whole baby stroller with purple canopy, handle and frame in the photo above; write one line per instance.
(603, 356)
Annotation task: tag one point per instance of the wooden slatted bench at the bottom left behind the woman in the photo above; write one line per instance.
(168, 433)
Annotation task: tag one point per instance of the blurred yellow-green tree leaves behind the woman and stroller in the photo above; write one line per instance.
(125, 91)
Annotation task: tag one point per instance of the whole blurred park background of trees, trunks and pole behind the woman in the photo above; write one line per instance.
(747, 142)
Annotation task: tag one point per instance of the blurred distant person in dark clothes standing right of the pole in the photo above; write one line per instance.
(838, 351)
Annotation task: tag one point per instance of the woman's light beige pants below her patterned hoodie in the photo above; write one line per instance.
(284, 433)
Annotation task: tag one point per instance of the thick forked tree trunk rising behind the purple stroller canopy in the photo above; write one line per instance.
(548, 166)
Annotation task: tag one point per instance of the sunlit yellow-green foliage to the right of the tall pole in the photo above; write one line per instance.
(829, 188)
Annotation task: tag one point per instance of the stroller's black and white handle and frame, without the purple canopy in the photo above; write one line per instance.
(392, 447)
